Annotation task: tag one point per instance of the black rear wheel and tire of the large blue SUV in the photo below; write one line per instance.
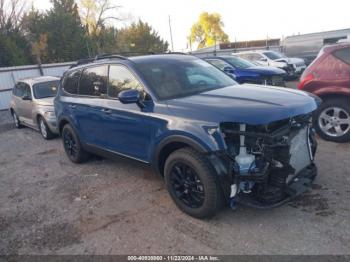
(72, 145)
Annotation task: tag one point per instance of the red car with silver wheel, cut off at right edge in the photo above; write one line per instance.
(329, 78)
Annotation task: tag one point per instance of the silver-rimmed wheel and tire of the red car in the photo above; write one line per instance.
(332, 120)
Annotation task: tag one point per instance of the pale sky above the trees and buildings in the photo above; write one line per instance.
(243, 20)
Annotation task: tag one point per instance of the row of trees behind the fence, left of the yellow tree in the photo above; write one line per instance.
(59, 35)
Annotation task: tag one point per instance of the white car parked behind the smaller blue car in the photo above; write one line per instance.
(293, 66)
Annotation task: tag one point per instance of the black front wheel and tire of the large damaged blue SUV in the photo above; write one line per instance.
(192, 183)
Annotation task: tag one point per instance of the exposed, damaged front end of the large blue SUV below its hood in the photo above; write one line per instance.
(270, 163)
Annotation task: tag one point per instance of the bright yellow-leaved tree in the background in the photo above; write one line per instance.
(207, 31)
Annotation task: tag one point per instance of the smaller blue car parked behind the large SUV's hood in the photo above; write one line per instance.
(244, 71)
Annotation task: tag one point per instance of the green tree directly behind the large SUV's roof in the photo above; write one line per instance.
(140, 38)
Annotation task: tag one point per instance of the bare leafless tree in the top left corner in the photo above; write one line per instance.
(11, 12)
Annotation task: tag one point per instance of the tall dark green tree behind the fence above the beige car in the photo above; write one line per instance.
(58, 35)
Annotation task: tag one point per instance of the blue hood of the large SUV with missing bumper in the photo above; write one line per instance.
(250, 104)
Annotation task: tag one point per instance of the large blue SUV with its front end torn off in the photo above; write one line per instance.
(213, 141)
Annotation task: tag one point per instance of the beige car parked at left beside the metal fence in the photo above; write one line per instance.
(32, 104)
